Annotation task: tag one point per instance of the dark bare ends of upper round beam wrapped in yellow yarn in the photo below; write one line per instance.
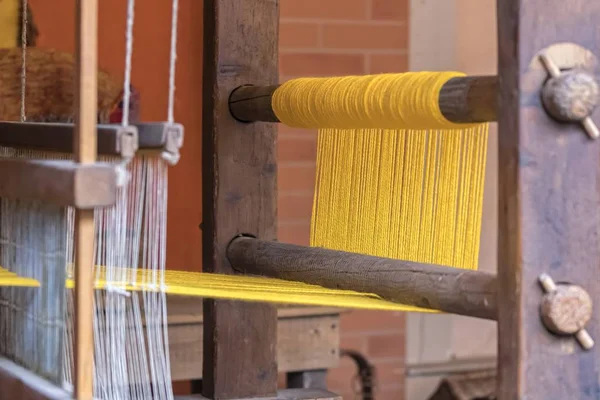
(462, 100)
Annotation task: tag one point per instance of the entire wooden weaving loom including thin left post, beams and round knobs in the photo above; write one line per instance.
(544, 100)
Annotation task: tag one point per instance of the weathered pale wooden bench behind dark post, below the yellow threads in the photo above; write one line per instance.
(307, 338)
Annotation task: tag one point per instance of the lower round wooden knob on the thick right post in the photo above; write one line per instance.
(566, 310)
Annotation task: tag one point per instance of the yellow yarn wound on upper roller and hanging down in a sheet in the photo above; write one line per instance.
(394, 177)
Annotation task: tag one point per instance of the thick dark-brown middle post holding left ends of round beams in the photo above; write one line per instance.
(239, 192)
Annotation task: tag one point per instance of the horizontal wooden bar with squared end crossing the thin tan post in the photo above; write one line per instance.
(59, 182)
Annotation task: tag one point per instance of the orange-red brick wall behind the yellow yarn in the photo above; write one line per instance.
(335, 37)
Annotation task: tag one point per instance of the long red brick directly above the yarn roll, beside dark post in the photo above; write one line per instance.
(321, 64)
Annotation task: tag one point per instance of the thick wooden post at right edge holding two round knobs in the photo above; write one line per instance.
(549, 202)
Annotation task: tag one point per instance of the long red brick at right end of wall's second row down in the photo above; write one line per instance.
(367, 37)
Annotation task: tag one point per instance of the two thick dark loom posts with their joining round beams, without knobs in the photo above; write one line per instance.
(548, 198)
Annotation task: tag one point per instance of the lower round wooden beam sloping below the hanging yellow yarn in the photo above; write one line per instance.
(450, 290)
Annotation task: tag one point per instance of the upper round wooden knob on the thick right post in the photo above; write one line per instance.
(571, 96)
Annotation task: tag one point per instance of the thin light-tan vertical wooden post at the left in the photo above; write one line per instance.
(86, 49)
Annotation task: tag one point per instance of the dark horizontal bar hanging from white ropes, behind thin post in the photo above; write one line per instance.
(112, 140)
